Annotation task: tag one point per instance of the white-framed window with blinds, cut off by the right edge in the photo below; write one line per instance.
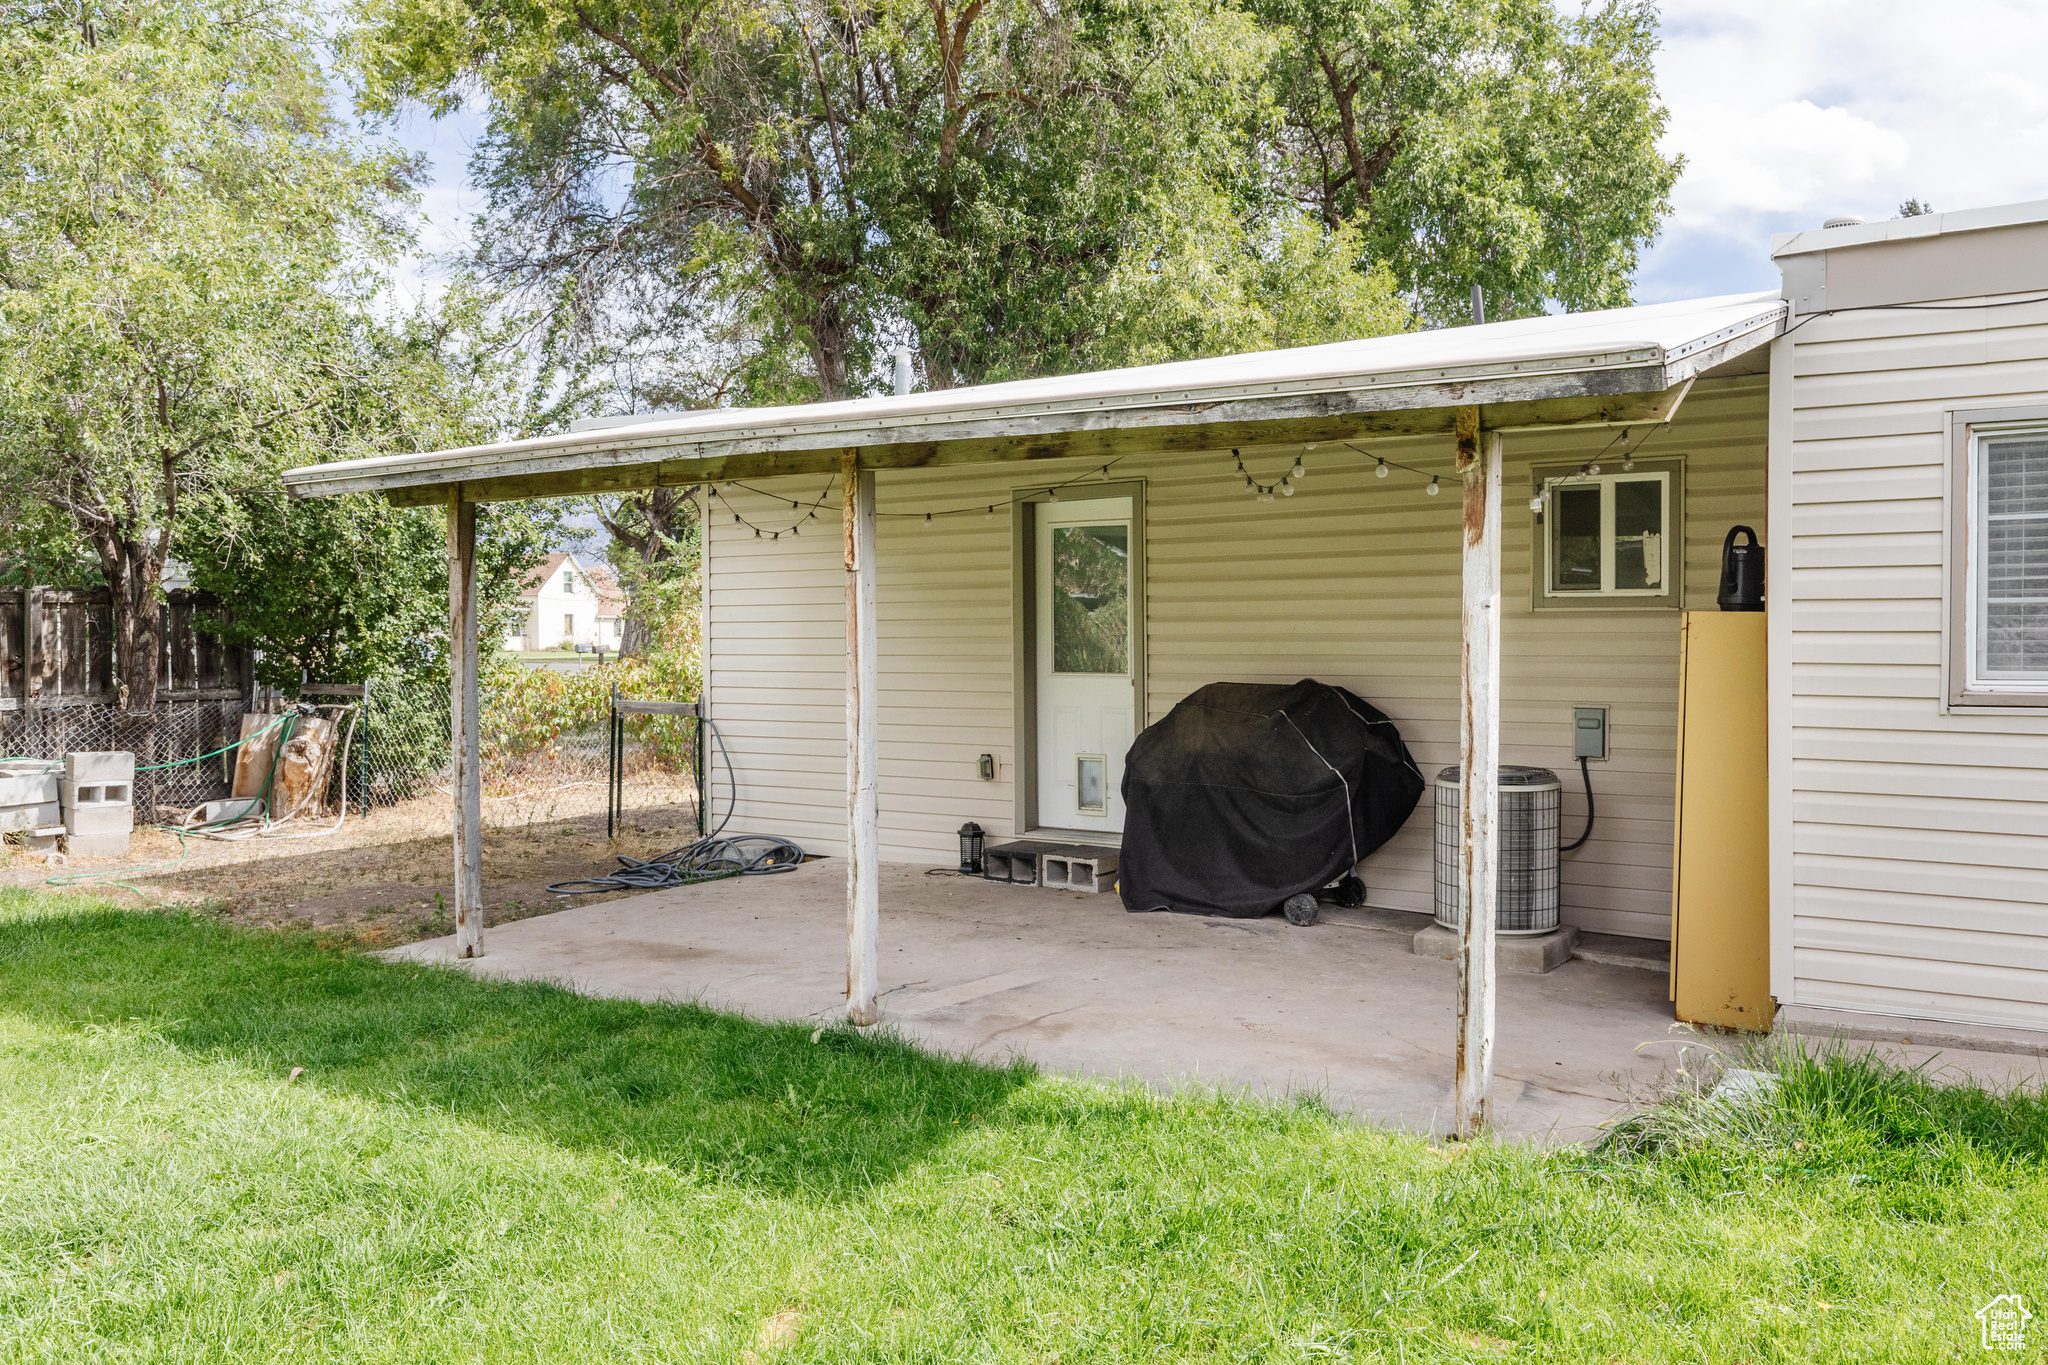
(2008, 562)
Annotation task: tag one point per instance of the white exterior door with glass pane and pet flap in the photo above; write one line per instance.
(1084, 656)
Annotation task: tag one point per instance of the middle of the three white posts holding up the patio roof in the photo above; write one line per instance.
(863, 885)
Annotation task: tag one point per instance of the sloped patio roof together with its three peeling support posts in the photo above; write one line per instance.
(1469, 384)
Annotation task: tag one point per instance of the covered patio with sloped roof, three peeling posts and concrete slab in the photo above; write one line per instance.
(1467, 392)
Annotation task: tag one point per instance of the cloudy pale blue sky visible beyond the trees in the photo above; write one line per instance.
(1787, 112)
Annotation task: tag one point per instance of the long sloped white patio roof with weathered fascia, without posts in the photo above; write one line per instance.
(1615, 365)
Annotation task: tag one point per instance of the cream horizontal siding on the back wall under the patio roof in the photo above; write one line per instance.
(1355, 582)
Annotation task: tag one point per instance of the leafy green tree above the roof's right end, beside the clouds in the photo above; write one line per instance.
(1490, 142)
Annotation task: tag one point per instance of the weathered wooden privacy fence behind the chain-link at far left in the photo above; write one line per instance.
(56, 650)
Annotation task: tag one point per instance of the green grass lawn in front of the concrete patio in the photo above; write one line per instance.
(515, 1174)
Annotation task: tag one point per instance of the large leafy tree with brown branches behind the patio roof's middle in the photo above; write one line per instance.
(755, 200)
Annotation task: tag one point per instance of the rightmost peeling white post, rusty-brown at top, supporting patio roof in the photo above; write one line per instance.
(1480, 758)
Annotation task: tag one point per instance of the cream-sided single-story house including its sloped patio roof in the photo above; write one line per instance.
(1881, 423)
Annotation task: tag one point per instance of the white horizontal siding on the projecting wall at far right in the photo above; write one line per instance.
(1918, 834)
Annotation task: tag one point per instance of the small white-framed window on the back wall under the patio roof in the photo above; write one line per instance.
(1609, 537)
